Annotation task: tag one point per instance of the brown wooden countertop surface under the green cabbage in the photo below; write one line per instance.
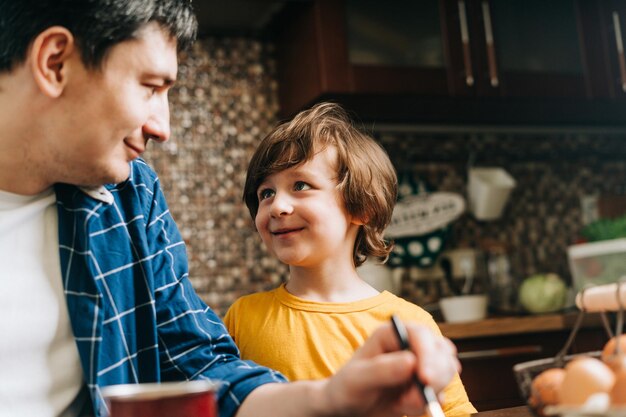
(504, 325)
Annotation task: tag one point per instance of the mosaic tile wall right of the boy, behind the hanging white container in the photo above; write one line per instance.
(552, 170)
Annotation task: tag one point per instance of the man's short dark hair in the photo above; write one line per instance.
(97, 25)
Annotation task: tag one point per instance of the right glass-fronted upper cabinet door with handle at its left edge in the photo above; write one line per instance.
(531, 48)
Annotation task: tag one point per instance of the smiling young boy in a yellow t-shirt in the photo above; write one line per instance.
(321, 194)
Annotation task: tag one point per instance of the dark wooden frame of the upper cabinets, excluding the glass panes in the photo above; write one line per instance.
(313, 65)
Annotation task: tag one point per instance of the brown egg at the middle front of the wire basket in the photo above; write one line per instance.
(584, 377)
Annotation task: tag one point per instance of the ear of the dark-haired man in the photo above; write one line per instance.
(49, 55)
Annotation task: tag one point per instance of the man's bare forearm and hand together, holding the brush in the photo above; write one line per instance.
(376, 382)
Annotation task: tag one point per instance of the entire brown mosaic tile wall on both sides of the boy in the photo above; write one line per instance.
(226, 101)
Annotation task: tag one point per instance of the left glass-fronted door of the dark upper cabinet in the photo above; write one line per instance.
(394, 46)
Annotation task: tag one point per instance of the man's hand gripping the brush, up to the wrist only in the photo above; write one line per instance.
(377, 381)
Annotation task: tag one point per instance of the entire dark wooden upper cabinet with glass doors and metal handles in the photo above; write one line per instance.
(458, 61)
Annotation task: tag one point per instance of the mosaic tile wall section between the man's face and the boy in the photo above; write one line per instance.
(224, 102)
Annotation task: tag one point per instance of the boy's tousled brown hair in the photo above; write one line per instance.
(366, 177)
